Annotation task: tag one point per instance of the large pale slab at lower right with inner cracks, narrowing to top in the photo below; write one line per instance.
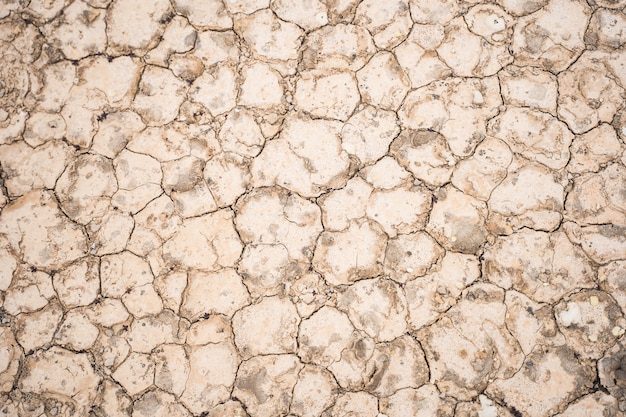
(471, 345)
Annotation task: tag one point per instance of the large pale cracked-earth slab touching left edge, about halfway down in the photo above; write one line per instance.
(50, 242)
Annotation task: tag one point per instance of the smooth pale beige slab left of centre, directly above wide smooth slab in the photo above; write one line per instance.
(207, 242)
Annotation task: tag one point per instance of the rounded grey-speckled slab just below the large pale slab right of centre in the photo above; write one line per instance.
(376, 306)
